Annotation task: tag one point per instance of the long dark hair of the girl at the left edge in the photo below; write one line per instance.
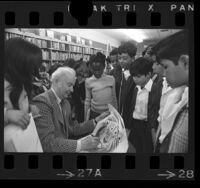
(22, 62)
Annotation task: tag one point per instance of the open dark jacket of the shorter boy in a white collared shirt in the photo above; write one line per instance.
(153, 106)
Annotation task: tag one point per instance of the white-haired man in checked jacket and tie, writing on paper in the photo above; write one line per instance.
(54, 125)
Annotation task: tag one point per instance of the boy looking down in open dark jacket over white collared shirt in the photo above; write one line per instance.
(144, 106)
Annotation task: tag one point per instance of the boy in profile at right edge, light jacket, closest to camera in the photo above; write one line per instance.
(173, 54)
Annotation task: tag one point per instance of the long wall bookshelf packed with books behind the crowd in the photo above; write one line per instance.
(56, 47)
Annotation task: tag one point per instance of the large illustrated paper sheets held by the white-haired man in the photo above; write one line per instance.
(112, 134)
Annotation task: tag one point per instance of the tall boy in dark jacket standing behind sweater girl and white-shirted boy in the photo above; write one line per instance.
(126, 55)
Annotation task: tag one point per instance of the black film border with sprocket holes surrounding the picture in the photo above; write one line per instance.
(82, 162)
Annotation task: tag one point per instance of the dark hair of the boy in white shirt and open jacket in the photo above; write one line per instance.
(140, 66)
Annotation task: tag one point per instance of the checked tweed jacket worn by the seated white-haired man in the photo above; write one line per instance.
(53, 130)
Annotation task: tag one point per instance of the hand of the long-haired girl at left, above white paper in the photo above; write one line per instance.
(18, 117)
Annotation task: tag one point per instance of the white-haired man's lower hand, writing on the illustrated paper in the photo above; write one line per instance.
(89, 143)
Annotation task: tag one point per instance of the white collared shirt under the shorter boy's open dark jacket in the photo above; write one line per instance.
(141, 104)
